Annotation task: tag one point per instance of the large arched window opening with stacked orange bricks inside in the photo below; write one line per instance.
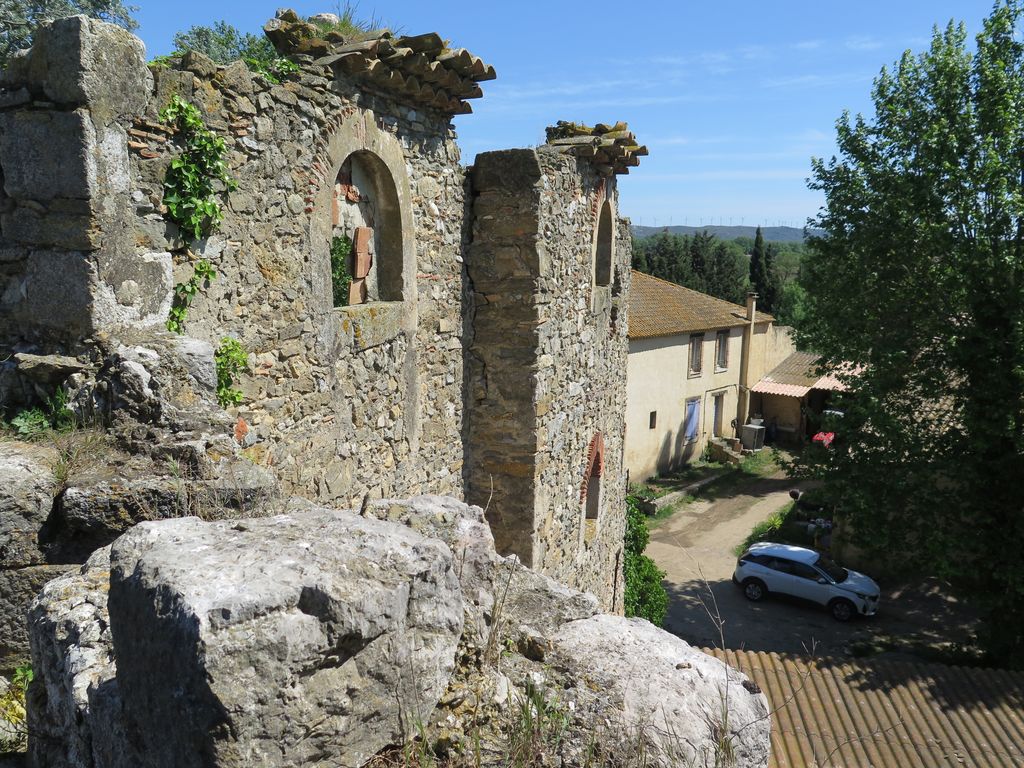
(366, 243)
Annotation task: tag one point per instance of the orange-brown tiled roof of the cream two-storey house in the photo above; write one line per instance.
(662, 309)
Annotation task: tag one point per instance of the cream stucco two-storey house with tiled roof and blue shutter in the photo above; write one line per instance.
(693, 362)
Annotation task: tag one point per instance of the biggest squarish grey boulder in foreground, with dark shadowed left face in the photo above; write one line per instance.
(282, 641)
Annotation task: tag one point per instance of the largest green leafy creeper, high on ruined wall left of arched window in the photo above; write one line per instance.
(191, 187)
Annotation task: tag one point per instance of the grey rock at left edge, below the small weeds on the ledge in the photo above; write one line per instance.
(27, 487)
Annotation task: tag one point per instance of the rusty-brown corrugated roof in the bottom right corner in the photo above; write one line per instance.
(839, 713)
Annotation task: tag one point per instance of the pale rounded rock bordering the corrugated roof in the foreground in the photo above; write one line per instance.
(677, 700)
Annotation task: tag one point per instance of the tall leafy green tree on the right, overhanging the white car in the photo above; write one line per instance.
(919, 282)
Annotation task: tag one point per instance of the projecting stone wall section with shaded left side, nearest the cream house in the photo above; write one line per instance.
(546, 394)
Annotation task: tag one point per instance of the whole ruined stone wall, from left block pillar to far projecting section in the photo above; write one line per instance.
(339, 402)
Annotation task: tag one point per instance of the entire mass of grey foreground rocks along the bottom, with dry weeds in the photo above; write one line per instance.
(321, 637)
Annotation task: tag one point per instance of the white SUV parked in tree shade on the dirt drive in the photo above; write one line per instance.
(803, 573)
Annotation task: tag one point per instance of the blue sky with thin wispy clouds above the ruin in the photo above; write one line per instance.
(733, 98)
